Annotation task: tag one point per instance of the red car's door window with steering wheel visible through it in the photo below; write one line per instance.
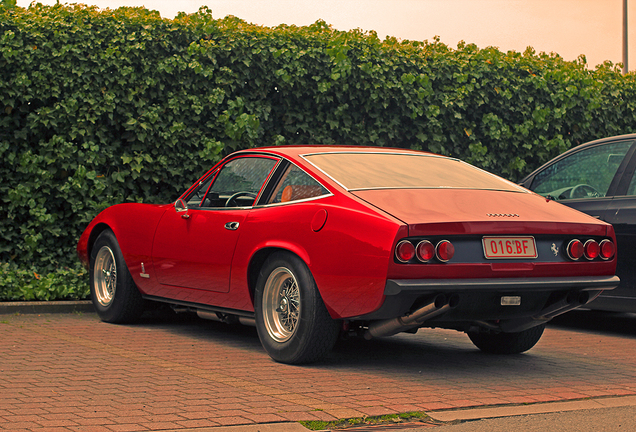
(239, 182)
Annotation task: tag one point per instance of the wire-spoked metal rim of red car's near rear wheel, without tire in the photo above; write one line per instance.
(281, 304)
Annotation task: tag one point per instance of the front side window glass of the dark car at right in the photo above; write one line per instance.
(585, 174)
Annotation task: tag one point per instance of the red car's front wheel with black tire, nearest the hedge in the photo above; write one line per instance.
(113, 291)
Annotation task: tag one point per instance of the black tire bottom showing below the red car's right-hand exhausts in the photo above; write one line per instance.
(507, 343)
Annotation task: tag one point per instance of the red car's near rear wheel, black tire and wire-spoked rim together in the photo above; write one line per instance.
(291, 319)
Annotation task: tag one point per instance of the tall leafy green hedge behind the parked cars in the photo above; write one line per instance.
(99, 107)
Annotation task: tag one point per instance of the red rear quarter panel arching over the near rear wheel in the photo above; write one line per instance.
(348, 257)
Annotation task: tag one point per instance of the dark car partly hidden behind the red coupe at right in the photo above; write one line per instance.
(597, 178)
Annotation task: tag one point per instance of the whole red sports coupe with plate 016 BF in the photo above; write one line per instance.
(311, 242)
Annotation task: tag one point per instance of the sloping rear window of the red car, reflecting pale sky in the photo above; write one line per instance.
(356, 171)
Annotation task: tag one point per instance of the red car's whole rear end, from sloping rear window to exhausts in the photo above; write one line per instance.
(476, 252)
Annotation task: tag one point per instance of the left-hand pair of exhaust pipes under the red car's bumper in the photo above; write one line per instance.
(389, 327)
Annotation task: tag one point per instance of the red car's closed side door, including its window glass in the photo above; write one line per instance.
(194, 243)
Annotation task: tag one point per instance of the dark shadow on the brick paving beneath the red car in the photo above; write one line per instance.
(415, 353)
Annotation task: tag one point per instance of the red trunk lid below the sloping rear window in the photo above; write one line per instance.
(469, 211)
